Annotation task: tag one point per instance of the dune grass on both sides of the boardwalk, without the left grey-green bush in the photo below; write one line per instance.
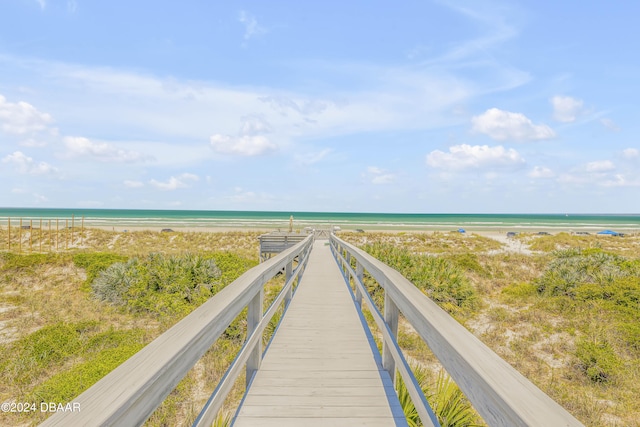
(567, 320)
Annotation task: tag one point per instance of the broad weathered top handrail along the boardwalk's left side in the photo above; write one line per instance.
(130, 393)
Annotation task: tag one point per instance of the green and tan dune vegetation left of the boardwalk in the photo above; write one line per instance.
(59, 336)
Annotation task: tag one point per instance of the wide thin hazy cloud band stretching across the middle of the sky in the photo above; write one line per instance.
(166, 108)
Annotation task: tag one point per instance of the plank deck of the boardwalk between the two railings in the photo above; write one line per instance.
(320, 369)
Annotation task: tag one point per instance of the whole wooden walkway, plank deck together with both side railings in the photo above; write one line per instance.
(321, 367)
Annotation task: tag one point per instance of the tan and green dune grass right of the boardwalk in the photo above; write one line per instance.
(566, 317)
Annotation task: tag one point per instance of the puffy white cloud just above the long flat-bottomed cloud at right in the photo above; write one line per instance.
(504, 125)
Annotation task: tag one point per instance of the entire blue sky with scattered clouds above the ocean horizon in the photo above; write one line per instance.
(358, 106)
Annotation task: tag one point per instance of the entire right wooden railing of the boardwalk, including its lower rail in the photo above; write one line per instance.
(500, 394)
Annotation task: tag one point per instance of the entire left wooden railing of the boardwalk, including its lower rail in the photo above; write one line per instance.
(130, 393)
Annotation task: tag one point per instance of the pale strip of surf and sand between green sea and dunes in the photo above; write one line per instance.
(495, 225)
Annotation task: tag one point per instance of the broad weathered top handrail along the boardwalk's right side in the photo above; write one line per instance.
(500, 394)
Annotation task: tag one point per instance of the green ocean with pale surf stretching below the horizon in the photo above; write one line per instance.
(123, 218)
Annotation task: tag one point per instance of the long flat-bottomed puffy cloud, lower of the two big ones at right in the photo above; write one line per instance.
(465, 156)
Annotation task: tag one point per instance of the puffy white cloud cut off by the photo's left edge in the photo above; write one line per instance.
(21, 118)
